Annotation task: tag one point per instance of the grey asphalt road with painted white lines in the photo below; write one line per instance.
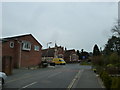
(60, 76)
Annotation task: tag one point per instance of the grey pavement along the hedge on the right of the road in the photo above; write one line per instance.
(90, 80)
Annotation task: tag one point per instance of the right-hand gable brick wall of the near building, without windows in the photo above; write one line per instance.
(32, 57)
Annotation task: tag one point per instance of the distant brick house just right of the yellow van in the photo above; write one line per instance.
(70, 56)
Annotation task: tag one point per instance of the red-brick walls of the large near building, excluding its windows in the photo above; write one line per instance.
(23, 58)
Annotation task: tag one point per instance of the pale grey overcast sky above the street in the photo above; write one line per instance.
(74, 25)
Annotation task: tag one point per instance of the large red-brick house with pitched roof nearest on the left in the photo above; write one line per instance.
(25, 50)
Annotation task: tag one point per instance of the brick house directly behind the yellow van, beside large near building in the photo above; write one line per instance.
(50, 53)
